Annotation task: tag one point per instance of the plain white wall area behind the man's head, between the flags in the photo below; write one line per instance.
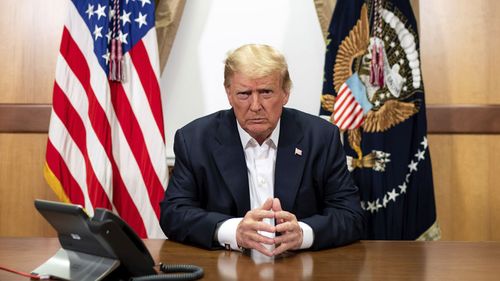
(192, 82)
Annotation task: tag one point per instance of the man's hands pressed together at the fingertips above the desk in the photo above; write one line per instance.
(288, 233)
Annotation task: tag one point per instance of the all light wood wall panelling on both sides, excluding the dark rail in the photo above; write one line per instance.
(460, 65)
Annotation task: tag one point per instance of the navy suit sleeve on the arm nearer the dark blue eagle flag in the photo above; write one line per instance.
(341, 220)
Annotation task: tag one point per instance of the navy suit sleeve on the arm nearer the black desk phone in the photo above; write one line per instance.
(183, 217)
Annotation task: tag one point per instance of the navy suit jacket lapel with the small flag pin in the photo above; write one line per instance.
(290, 161)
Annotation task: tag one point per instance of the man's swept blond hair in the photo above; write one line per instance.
(257, 61)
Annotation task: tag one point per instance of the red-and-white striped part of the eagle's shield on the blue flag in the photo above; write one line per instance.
(348, 113)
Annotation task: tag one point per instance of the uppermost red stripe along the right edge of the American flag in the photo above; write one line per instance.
(142, 64)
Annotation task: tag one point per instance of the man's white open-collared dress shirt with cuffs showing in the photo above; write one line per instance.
(261, 162)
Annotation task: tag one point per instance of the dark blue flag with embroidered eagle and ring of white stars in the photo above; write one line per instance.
(373, 91)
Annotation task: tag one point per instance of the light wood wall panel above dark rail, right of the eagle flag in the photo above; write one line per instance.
(459, 47)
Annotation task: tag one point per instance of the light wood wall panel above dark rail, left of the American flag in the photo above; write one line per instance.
(31, 33)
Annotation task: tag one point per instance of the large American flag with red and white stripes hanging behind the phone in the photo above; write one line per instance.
(106, 144)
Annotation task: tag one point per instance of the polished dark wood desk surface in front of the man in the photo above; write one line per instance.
(365, 260)
